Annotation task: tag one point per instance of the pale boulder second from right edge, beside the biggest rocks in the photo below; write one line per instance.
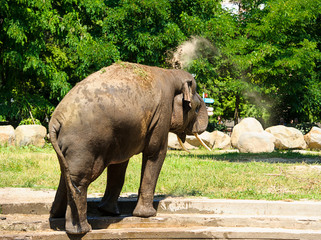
(287, 137)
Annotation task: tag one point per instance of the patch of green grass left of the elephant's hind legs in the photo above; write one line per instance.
(29, 167)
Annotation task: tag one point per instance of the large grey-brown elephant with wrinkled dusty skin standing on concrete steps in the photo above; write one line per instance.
(107, 118)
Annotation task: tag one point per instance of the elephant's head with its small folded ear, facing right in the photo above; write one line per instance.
(189, 115)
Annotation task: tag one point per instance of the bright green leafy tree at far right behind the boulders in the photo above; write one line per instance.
(285, 57)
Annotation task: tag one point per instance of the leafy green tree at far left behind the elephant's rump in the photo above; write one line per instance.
(45, 49)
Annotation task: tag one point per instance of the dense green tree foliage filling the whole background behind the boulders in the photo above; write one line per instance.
(262, 62)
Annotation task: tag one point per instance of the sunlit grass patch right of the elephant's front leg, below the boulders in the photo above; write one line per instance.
(243, 176)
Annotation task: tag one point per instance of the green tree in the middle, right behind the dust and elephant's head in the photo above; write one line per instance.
(214, 65)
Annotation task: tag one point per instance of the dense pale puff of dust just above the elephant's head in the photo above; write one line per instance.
(191, 50)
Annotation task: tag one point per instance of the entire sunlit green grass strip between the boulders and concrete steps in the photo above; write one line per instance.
(275, 176)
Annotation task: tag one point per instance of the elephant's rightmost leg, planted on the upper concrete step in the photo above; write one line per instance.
(151, 167)
